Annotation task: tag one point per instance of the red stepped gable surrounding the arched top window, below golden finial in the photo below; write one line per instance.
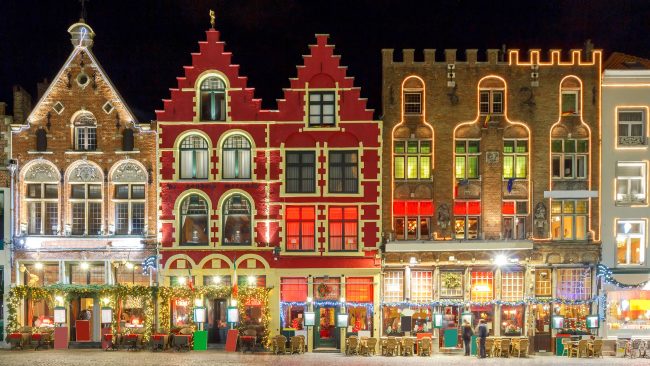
(211, 57)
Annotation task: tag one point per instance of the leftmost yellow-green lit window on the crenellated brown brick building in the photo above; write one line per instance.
(412, 159)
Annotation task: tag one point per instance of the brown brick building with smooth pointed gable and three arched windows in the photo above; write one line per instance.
(84, 186)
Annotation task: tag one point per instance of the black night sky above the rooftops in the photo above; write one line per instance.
(143, 44)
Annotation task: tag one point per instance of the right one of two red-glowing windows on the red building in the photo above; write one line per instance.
(343, 229)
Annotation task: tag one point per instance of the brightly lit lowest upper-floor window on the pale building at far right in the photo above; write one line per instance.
(630, 241)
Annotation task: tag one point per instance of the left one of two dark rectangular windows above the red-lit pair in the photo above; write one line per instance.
(301, 172)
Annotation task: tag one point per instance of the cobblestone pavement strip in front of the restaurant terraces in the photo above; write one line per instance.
(144, 358)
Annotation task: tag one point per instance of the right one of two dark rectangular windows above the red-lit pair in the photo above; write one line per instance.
(343, 172)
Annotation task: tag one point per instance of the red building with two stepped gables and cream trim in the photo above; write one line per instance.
(286, 199)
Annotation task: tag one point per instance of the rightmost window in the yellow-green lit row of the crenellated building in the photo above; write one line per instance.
(570, 158)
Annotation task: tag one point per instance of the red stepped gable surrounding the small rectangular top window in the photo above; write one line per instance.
(322, 69)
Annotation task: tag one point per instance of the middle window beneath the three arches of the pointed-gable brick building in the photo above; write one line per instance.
(86, 205)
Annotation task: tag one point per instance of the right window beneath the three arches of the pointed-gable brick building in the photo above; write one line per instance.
(129, 203)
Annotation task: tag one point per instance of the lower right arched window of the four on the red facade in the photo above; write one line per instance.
(236, 221)
